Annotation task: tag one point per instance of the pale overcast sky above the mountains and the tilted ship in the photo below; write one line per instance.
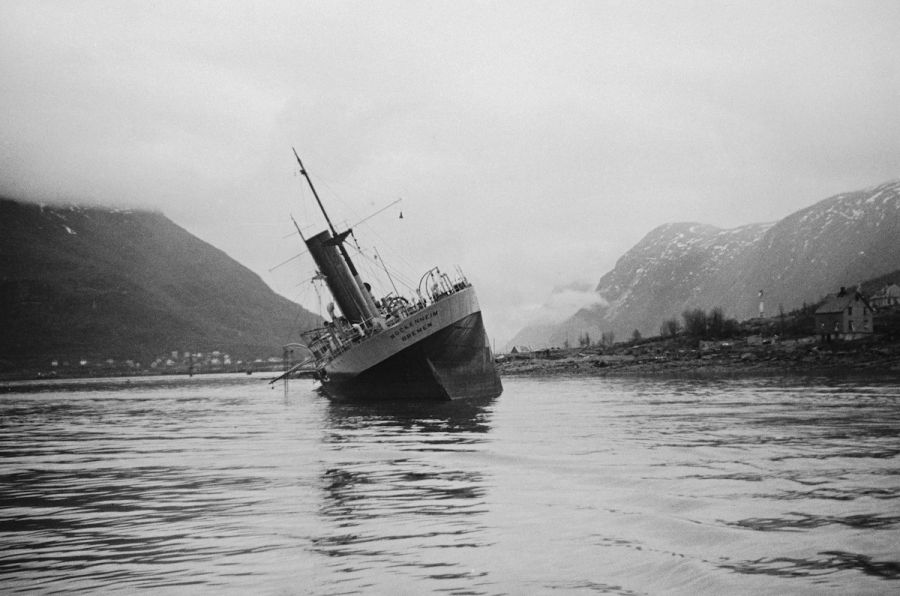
(532, 143)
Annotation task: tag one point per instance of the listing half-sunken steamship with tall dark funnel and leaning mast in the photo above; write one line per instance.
(432, 346)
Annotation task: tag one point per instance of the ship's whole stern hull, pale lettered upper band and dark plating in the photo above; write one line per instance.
(440, 353)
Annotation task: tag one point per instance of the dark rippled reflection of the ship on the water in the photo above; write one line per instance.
(401, 490)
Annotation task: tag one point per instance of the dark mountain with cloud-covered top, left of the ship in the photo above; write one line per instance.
(78, 282)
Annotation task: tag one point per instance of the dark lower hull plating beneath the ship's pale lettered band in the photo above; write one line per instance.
(454, 363)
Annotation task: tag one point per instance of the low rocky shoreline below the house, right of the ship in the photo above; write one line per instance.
(873, 358)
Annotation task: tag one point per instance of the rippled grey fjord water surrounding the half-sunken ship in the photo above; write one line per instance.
(224, 484)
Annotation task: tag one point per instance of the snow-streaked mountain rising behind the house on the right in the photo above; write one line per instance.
(840, 241)
